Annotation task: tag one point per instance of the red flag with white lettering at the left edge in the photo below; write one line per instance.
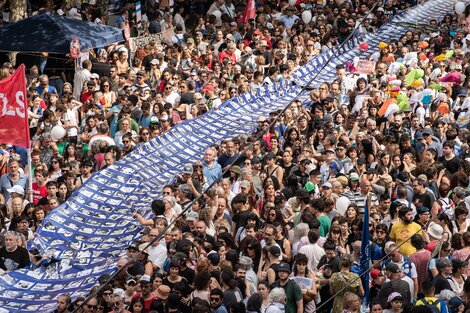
(14, 126)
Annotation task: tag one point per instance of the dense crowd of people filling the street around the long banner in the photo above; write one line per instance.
(276, 217)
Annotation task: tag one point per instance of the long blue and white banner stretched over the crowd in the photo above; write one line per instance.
(95, 225)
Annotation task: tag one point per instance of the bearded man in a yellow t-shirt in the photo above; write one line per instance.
(404, 229)
